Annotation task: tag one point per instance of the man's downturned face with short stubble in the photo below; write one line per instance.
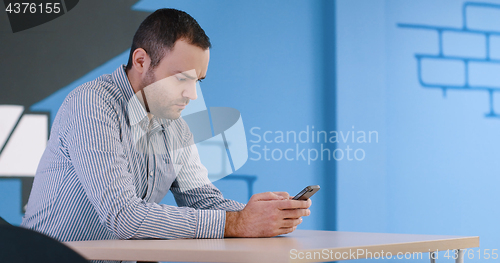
(172, 84)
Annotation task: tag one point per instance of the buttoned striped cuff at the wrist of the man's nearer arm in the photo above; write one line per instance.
(210, 224)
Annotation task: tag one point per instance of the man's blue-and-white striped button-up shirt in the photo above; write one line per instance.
(107, 166)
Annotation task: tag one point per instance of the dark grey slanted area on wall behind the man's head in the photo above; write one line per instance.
(40, 61)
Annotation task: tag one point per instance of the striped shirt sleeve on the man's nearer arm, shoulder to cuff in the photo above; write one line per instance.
(99, 160)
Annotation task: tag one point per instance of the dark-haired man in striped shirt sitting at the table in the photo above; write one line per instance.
(118, 145)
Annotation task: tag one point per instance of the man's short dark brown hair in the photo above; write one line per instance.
(159, 31)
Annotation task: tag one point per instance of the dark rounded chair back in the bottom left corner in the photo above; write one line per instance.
(20, 245)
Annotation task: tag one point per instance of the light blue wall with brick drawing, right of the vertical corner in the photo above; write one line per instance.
(435, 168)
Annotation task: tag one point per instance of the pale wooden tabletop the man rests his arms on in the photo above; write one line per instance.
(288, 248)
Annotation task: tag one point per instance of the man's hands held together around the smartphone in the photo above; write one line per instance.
(266, 215)
